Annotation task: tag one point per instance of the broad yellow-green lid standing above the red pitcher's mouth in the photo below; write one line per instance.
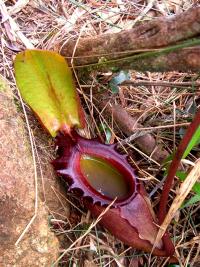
(46, 85)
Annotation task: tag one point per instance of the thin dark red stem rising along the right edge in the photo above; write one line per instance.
(175, 164)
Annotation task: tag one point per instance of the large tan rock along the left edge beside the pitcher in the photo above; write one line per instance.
(39, 246)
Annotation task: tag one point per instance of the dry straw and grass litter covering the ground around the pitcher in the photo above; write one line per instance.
(163, 110)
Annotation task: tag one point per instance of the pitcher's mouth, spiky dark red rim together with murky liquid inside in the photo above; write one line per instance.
(96, 170)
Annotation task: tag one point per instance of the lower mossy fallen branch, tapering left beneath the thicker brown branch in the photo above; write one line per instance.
(185, 60)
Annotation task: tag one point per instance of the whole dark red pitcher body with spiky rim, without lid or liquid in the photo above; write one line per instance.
(130, 219)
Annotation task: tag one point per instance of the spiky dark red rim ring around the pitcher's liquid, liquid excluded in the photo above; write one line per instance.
(68, 165)
